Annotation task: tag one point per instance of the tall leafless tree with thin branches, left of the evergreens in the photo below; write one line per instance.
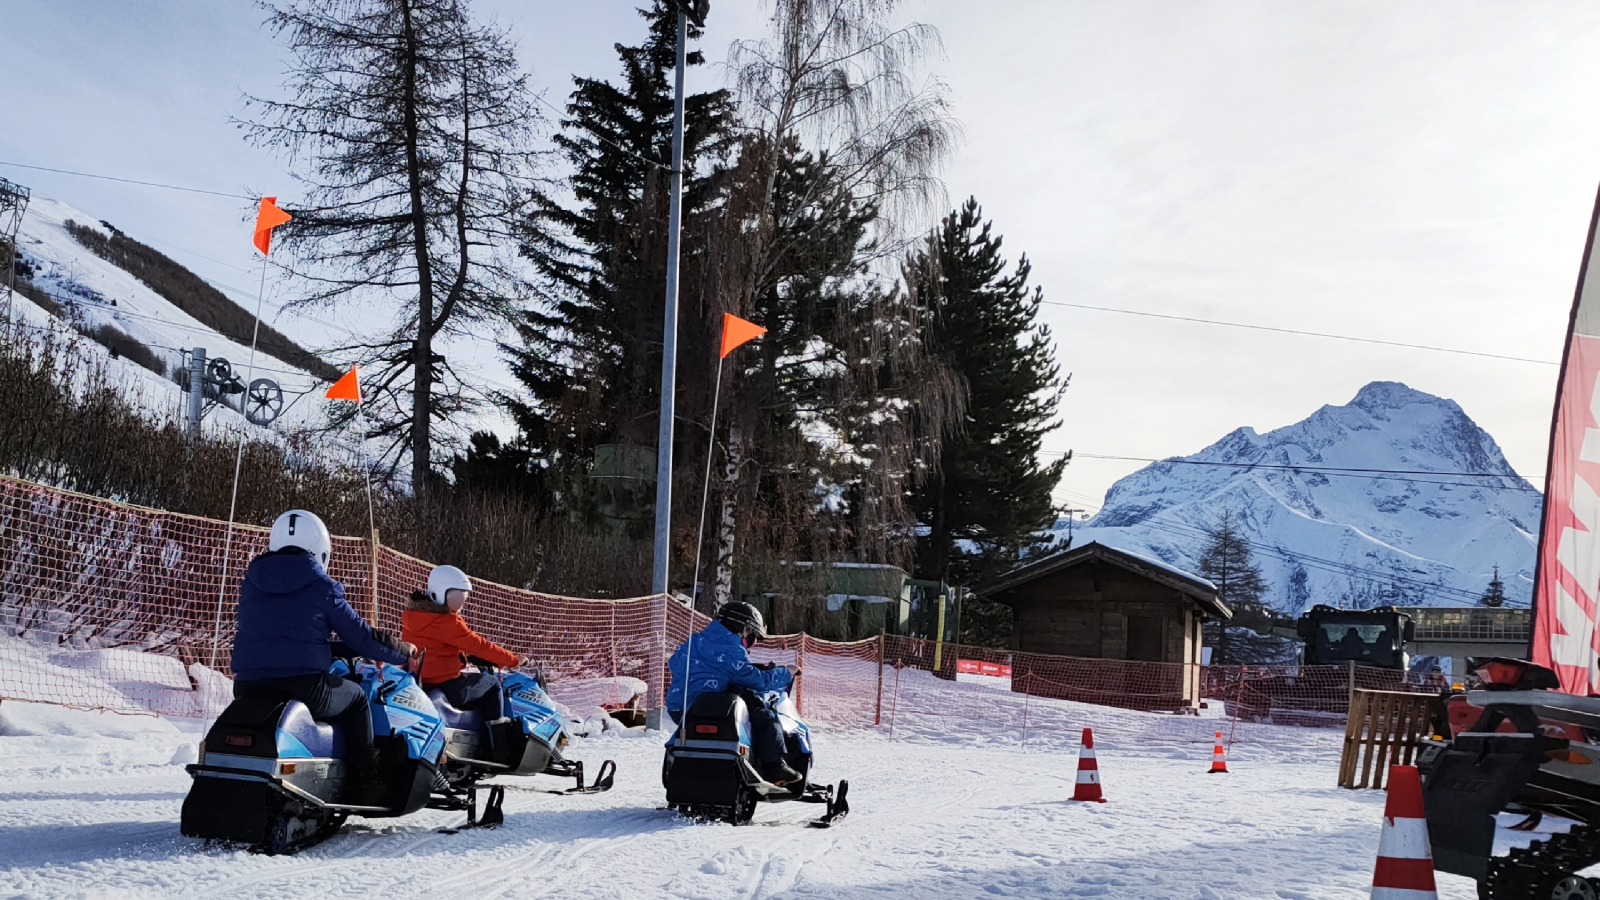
(409, 127)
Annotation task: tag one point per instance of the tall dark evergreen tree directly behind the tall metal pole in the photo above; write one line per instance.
(590, 356)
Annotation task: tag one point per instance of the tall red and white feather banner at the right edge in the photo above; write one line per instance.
(1567, 581)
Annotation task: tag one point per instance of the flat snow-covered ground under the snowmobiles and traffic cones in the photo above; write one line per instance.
(90, 803)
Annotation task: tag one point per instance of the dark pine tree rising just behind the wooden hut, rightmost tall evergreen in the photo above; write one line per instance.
(990, 492)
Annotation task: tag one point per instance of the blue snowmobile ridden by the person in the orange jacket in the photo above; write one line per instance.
(526, 739)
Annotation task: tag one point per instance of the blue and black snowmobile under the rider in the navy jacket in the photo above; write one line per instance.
(271, 777)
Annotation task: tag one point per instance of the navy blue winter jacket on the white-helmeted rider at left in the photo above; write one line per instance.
(287, 609)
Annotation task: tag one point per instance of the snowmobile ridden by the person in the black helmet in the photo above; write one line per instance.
(710, 768)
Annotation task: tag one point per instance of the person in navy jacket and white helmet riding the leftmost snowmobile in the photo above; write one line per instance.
(287, 609)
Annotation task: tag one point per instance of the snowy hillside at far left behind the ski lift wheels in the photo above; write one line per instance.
(95, 294)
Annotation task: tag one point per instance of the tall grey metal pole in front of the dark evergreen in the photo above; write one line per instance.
(670, 339)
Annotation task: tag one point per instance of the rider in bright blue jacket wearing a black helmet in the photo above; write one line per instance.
(721, 661)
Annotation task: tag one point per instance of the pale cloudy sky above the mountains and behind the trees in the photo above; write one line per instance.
(1415, 172)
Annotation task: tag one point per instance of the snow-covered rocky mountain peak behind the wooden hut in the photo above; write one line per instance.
(1326, 532)
